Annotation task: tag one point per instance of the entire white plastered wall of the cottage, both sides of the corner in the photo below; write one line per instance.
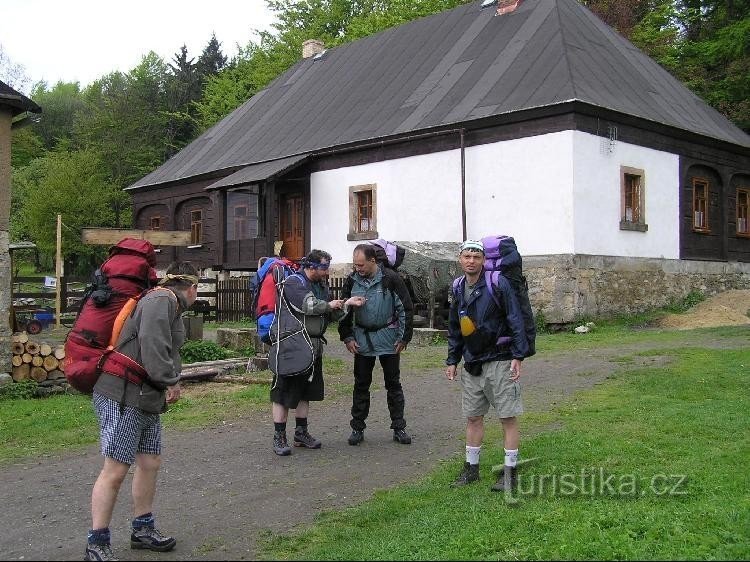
(557, 193)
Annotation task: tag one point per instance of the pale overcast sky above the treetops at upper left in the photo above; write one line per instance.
(82, 40)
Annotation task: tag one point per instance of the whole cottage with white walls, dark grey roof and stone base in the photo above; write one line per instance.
(532, 118)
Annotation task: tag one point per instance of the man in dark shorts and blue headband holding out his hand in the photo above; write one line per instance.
(302, 313)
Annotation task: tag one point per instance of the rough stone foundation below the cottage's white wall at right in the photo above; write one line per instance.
(566, 288)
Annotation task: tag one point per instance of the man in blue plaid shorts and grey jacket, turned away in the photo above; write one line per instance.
(129, 412)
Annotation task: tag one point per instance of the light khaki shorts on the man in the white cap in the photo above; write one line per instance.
(492, 387)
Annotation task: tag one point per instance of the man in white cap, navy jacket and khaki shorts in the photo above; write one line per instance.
(486, 328)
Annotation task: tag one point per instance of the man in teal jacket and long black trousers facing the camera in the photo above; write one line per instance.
(381, 328)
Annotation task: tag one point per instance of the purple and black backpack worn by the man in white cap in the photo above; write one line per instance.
(502, 258)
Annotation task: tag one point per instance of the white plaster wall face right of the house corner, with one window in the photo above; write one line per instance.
(597, 199)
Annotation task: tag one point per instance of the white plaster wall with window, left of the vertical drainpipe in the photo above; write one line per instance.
(418, 199)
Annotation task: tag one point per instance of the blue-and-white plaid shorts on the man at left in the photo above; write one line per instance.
(126, 432)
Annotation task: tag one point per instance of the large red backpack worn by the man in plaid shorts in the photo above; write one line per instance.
(89, 348)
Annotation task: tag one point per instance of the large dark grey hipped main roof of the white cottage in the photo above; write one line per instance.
(449, 68)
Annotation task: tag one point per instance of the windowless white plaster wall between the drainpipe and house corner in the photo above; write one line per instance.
(523, 188)
